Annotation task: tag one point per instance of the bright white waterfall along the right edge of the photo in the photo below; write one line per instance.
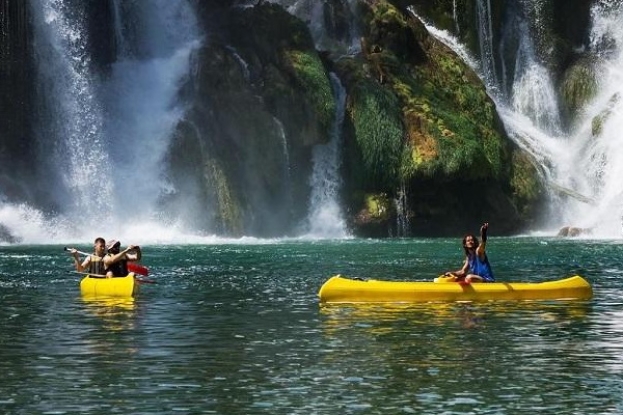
(592, 162)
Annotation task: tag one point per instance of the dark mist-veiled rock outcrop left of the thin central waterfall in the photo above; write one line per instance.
(260, 101)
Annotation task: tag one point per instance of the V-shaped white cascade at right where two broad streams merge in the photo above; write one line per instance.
(585, 168)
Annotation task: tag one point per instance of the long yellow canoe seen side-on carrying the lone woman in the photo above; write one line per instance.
(344, 290)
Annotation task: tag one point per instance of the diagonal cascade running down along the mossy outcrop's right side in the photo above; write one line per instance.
(528, 107)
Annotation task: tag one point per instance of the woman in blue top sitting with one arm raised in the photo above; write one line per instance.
(476, 267)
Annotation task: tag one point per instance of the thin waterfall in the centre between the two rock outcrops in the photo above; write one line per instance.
(325, 216)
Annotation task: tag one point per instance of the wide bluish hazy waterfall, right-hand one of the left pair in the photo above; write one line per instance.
(157, 39)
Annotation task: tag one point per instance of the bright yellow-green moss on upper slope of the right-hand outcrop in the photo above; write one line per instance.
(445, 108)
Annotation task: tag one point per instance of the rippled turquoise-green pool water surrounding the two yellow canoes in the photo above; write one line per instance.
(237, 329)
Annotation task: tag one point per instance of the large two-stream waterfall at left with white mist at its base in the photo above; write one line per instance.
(107, 134)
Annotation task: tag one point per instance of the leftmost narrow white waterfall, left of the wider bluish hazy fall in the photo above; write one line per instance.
(72, 125)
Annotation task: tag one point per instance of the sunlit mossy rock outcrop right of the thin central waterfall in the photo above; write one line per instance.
(422, 123)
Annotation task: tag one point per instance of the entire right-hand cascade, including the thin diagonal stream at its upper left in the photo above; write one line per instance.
(581, 166)
